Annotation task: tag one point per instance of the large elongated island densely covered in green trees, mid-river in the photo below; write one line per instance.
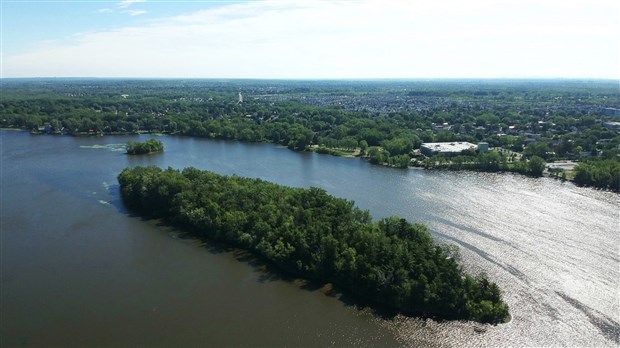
(309, 233)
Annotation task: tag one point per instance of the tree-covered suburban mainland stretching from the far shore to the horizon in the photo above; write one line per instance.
(384, 121)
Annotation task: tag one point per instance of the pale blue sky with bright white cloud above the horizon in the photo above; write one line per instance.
(305, 39)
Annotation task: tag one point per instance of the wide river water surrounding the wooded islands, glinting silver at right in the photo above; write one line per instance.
(77, 270)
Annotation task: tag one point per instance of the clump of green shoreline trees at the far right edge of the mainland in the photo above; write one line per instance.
(601, 172)
